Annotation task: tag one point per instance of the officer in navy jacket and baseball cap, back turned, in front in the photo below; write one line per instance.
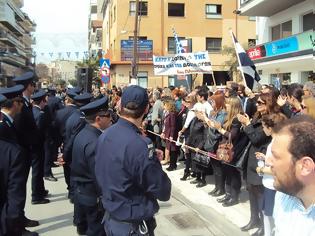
(129, 174)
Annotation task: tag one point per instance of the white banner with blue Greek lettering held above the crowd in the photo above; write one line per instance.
(182, 64)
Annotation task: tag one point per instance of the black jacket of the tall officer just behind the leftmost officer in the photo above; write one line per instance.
(25, 125)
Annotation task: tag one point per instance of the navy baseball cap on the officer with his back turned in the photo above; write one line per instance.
(136, 95)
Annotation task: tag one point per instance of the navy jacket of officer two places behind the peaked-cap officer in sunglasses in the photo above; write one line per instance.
(61, 118)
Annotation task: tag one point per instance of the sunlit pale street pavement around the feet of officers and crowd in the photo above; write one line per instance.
(190, 211)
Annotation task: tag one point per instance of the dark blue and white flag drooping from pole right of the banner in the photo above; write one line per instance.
(247, 67)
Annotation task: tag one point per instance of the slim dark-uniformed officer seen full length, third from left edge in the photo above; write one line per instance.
(42, 121)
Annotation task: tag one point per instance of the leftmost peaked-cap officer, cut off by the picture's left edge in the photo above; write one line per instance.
(13, 167)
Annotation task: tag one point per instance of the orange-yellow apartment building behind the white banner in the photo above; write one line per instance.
(204, 23)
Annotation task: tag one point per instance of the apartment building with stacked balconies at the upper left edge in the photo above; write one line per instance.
(15, 40)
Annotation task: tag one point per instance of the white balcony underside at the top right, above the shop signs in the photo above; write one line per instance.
(265, 7)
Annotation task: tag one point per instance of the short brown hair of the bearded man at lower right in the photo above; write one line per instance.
(301, 128)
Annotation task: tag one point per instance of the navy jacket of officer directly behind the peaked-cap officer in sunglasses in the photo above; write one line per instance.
(74, 124)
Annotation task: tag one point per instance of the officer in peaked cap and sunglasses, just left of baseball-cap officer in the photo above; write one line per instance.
(87, 193)
